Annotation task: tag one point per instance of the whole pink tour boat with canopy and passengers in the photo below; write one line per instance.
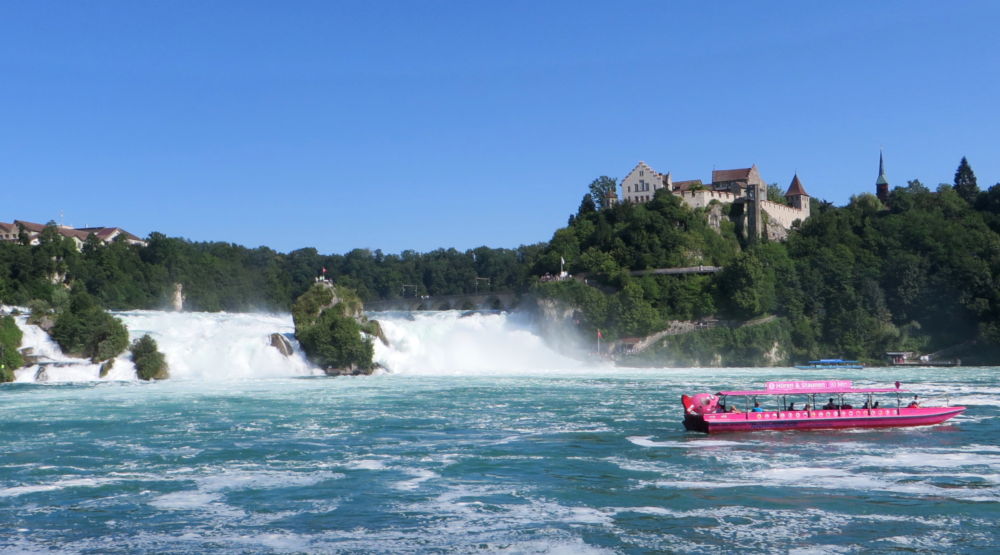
(711, 414)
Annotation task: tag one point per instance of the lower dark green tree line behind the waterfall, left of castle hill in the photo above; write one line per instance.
(223, 276)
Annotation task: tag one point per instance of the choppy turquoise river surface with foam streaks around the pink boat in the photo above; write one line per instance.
(568, 462)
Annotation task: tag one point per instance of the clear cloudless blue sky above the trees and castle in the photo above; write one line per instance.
(427, 124)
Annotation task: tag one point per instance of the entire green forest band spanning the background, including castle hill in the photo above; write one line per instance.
(919, 273)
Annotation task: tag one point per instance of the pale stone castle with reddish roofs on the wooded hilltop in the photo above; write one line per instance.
(740, 186)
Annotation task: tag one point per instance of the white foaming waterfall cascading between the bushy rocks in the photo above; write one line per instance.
(224, 346)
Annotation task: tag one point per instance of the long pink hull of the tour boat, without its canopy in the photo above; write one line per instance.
(819, 419)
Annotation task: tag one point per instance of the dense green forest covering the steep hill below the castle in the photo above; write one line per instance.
(919, 273)
